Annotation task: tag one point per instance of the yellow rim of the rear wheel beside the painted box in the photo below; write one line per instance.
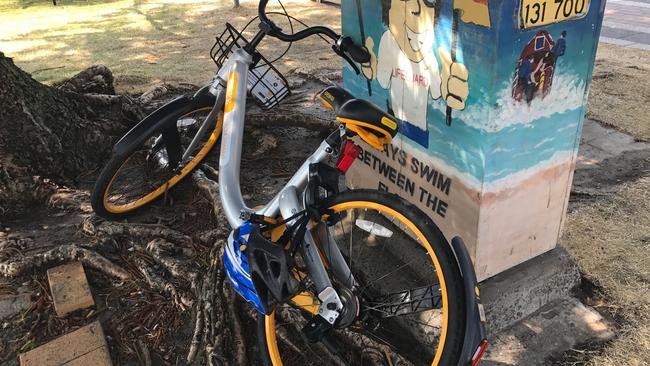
(269, 320)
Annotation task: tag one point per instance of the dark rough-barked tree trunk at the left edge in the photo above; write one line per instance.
(52, 133)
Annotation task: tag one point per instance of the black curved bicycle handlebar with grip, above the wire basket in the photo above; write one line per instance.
(344, 46)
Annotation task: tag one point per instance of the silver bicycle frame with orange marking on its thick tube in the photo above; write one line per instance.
(287, 202)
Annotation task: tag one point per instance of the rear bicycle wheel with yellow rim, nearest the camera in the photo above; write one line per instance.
(406, 307)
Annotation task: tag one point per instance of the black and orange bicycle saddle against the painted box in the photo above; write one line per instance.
(371, 123)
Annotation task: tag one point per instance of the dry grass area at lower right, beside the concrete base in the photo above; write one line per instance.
(611, 242)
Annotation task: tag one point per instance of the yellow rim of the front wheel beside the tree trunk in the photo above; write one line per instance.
(117, 209)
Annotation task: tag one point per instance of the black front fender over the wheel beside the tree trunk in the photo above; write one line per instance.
(160, 119)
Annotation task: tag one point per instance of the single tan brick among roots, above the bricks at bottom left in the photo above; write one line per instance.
(70, 289)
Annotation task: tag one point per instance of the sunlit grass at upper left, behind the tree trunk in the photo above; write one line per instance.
(55, 42)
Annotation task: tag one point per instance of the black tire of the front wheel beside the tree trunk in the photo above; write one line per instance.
(115, 163)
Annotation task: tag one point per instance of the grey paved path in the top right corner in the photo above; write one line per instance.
(627, 23)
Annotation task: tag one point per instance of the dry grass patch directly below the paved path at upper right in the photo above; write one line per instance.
(620, 91)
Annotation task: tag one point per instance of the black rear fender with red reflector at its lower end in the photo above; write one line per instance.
(475, 341)
